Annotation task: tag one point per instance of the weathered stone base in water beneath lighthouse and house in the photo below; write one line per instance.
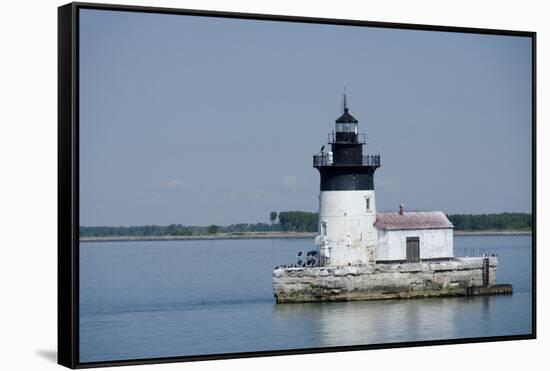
(455, 277)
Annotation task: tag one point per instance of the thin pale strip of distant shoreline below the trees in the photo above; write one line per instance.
(269, 235)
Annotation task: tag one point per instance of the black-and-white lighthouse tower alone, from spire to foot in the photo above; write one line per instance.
(347, 203)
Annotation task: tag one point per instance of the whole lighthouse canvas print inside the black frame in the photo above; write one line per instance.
(253, 185)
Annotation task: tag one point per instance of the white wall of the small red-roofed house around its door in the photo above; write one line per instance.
(434, 243)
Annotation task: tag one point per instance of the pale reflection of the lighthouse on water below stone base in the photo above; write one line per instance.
(371, 322)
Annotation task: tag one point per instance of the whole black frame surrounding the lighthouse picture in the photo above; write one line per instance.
(68, 181)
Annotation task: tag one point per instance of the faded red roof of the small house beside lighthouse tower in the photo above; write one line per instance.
(413, 220)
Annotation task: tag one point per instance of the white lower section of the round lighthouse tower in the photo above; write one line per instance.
(350, 233)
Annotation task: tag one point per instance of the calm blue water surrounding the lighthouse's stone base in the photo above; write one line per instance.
(175, 298)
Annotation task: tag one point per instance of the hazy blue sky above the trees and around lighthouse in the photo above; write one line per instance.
(198, 120)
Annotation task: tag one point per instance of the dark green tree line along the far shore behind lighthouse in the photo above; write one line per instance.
(300, 221)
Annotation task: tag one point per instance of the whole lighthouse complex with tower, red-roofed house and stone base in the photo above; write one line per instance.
(363, 254)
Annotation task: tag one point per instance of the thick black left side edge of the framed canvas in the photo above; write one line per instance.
(67, 250)
